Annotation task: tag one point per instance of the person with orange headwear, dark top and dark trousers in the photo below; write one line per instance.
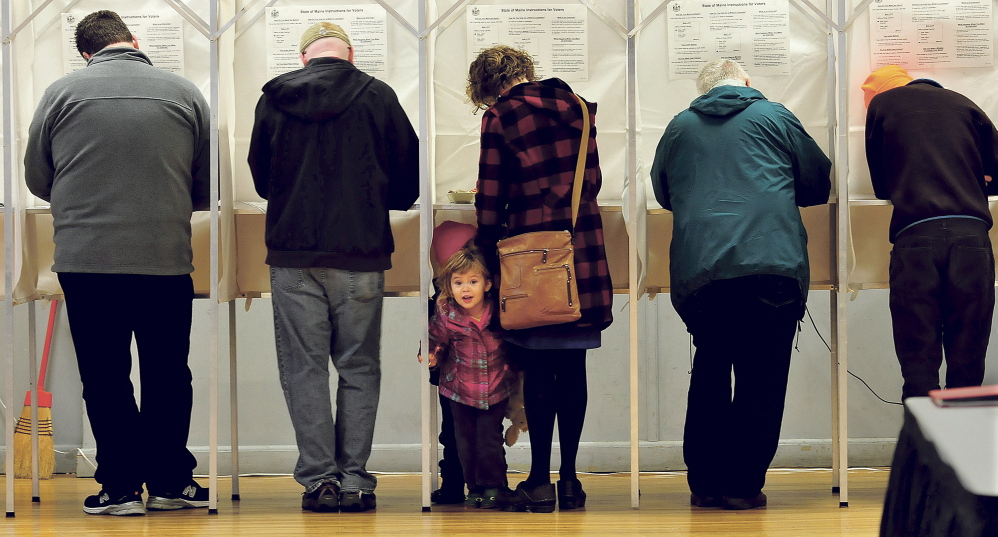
(932, 152)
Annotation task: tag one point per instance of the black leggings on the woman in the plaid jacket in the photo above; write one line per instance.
(554, 384)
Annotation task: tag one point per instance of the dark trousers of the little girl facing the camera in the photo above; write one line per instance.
(480, 444)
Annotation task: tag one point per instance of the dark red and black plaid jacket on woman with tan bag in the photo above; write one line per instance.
(530, 143)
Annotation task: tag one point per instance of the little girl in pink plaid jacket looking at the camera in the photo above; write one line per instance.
(474, 374)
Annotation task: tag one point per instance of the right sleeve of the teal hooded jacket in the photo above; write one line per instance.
(812, 182)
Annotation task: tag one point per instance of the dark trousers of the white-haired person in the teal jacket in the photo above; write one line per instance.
(743, 326)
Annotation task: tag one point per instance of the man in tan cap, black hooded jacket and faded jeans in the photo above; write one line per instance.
(332, 151)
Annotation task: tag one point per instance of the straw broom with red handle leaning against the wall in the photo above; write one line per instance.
(22, 431)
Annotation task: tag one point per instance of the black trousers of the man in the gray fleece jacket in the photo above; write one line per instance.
(135, 446)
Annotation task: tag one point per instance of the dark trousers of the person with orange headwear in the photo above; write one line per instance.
(942, 300)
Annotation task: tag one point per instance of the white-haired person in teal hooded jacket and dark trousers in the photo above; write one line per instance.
(733, 168)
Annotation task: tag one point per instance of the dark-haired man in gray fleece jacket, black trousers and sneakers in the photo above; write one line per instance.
(120, 149)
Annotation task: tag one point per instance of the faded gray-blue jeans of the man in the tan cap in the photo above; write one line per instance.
(321, 313)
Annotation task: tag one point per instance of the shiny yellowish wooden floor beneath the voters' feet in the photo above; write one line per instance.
(800, 504)
